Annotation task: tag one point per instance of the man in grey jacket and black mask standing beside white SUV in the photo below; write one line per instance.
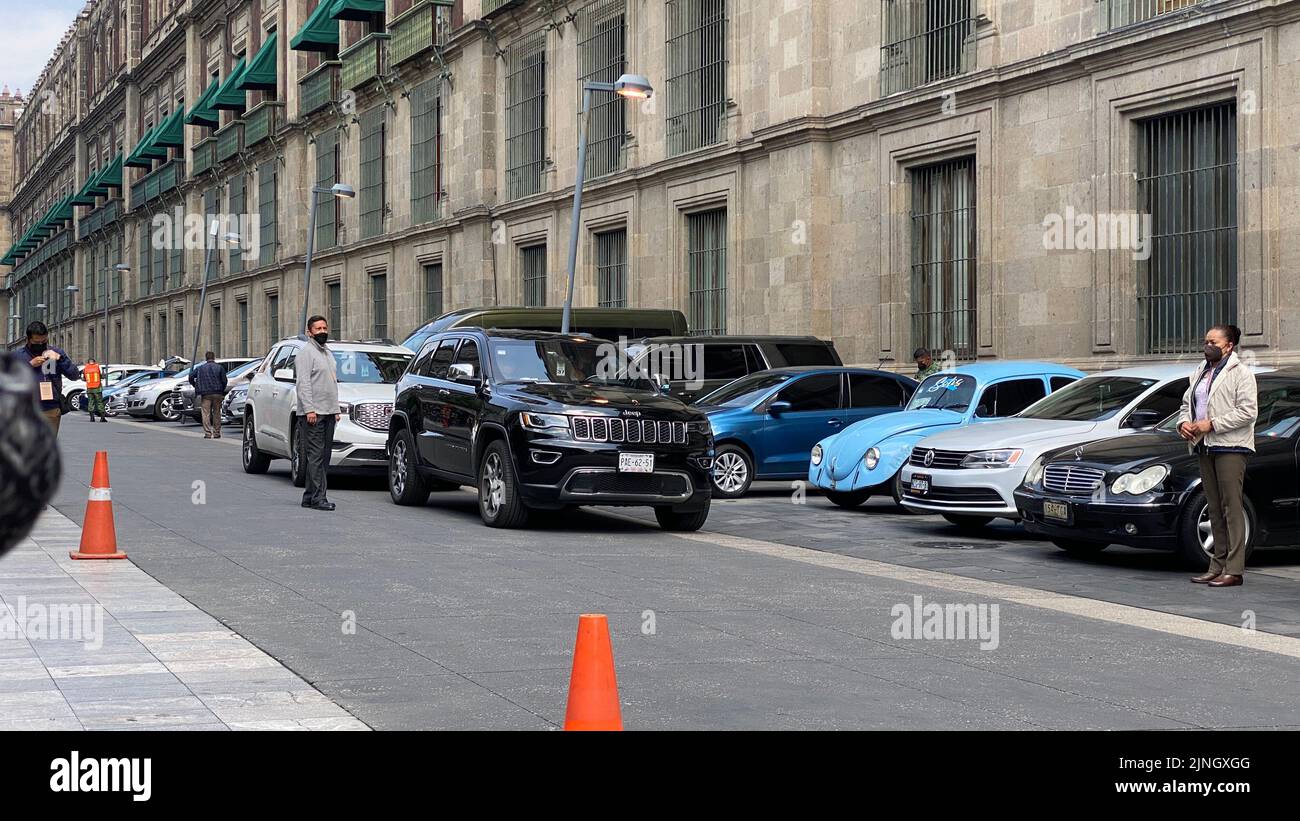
(318, 405)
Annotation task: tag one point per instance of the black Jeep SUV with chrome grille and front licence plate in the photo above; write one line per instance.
(545, 422)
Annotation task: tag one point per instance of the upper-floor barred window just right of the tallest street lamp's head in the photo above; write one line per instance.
(697, 75)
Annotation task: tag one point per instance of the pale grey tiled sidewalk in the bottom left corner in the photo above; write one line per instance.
(103, 646)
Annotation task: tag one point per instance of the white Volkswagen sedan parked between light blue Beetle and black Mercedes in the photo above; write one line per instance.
(969, 475)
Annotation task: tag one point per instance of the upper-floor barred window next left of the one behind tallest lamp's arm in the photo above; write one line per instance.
(526, 116)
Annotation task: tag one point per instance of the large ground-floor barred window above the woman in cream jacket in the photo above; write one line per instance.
(1188, 184)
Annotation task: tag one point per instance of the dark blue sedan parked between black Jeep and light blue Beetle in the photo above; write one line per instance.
(765, 424)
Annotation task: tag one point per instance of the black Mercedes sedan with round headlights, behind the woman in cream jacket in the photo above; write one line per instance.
(1145, 489)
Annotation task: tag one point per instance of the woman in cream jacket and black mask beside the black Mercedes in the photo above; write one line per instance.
(1217, 420)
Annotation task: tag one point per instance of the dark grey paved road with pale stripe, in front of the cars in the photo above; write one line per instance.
(778, 616)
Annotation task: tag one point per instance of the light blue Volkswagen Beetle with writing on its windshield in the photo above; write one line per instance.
(865, 459)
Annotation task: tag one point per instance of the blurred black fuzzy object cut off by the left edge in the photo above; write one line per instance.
(29, 455)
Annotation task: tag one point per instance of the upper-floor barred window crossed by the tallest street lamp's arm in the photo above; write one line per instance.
(603, 54)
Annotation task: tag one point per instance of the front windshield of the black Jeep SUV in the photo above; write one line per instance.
(564, 362)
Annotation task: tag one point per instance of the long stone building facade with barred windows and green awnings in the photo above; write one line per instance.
(1086, 181)
